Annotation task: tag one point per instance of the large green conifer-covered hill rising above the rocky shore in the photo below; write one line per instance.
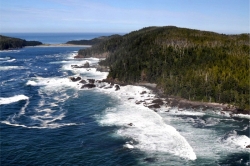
(187, 63)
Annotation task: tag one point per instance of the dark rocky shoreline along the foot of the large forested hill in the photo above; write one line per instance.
(160, 99)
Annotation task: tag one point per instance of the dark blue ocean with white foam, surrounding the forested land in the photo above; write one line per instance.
(47, 119)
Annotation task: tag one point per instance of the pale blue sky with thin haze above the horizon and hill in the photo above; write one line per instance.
(123, 16)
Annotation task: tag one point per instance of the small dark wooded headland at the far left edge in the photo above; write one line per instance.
(13, 43)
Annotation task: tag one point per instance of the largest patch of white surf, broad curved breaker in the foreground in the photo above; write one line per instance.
(148, 130)
